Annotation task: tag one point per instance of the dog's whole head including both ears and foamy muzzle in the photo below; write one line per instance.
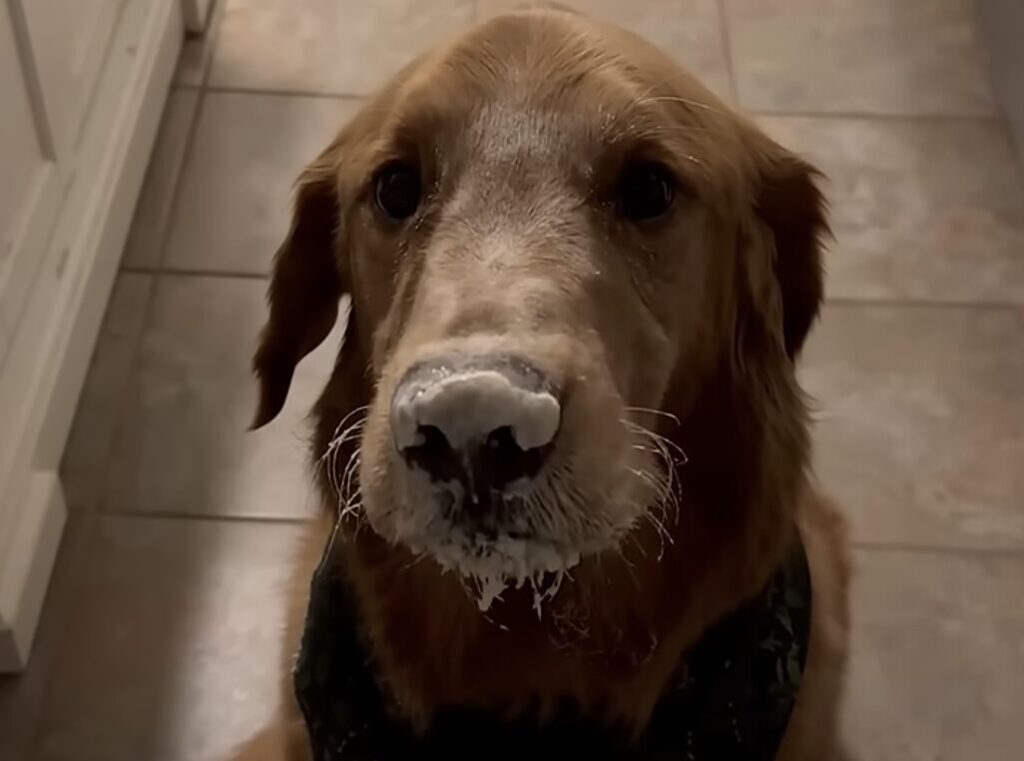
(552, 238)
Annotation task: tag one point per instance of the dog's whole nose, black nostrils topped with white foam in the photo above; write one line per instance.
(486, 422)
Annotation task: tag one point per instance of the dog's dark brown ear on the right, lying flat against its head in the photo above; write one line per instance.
(790, 205)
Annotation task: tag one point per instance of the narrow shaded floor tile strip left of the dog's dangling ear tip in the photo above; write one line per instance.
(84, 467)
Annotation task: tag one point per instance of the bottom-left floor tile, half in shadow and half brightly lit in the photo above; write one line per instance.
(172, 648)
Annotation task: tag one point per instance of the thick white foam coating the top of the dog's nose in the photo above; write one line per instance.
(468, 406)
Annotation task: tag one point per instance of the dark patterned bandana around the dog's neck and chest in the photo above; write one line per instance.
(731, 701)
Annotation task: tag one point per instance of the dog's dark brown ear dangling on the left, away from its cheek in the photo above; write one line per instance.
(306, 286)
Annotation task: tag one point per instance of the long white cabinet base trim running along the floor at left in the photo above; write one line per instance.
(69, 300)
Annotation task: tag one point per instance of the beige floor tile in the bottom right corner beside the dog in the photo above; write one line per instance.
(938, 658)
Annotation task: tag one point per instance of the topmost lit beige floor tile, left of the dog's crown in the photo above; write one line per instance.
(328, 47)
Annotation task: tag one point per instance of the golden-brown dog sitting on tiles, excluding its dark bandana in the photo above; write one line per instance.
(564, 439)
